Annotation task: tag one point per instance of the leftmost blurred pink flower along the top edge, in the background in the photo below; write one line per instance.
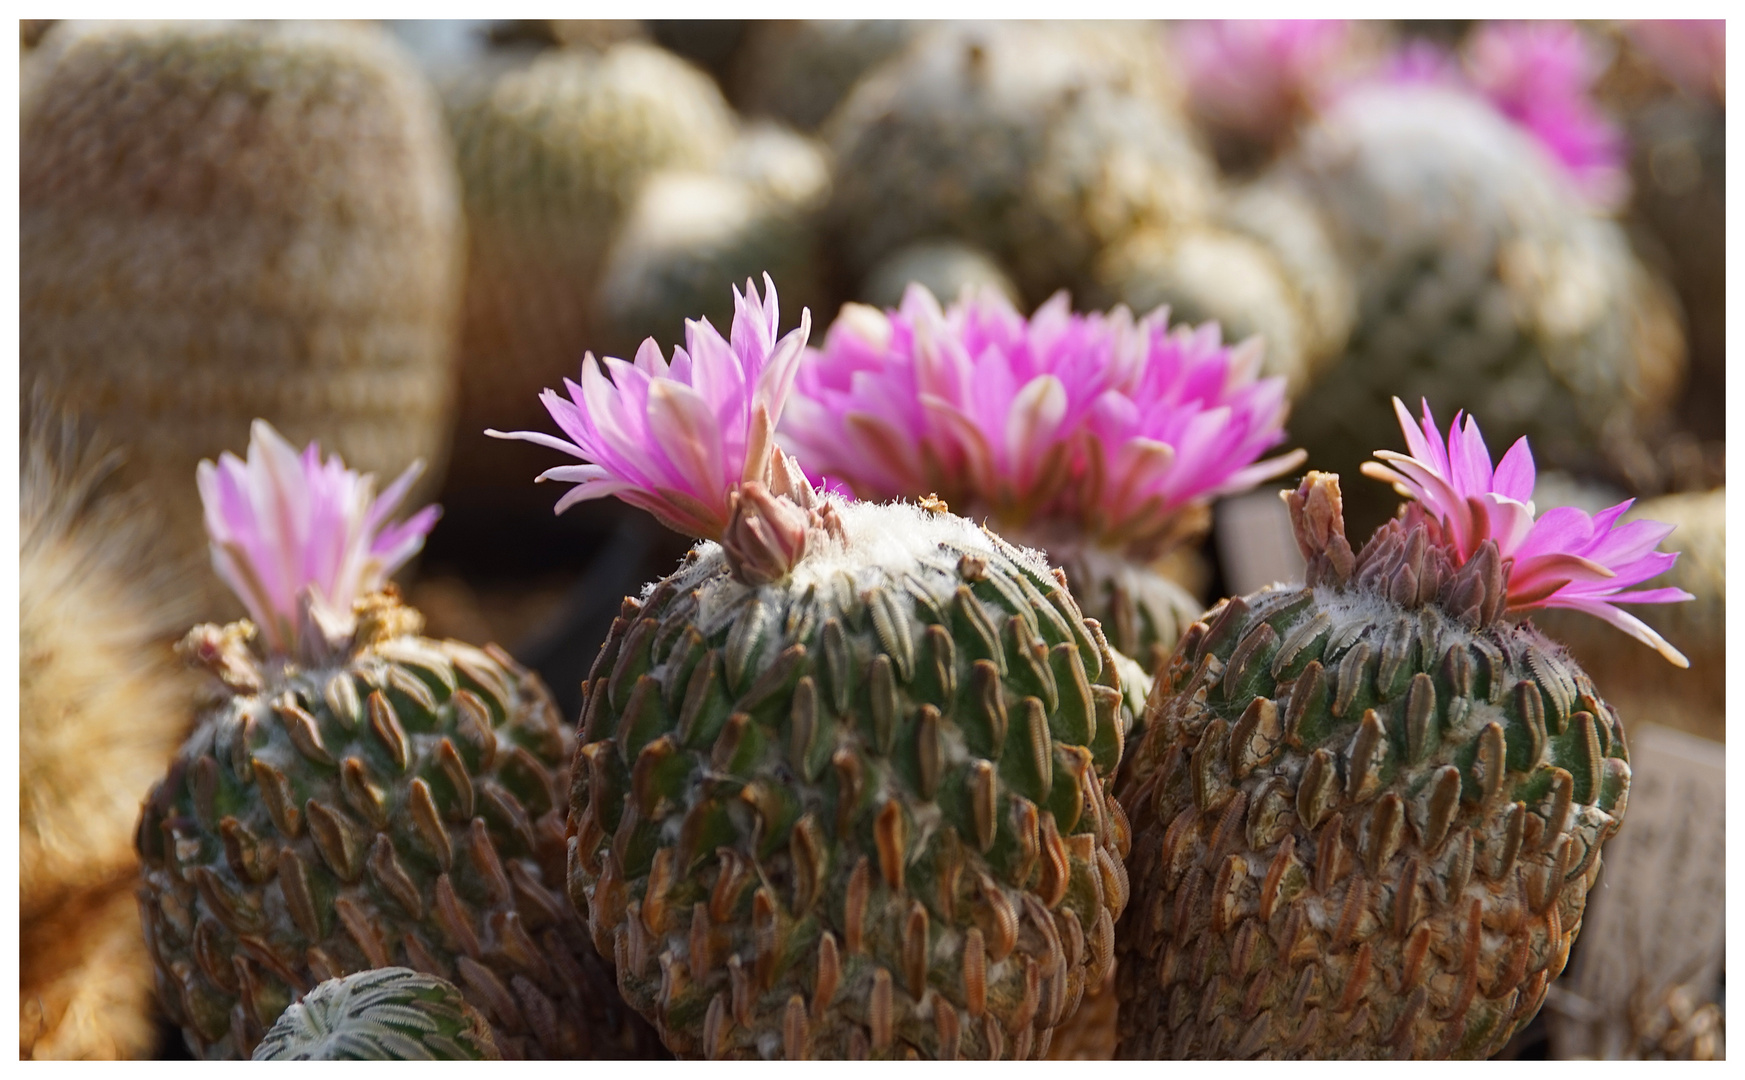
(1259, 76)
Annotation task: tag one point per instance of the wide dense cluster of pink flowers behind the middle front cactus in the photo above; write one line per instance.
(1100, 420)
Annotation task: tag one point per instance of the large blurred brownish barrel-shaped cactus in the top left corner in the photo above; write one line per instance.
(224, 222)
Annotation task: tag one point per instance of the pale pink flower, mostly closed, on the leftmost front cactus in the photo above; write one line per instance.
(287, 526)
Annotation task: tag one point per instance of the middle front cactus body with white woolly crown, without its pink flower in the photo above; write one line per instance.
(858, 812)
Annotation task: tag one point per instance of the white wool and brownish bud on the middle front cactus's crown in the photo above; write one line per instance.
(880, 543)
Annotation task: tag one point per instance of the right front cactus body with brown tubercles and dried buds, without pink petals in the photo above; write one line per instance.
(1364, 828)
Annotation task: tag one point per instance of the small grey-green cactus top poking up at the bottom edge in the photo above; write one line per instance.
(381, 1015)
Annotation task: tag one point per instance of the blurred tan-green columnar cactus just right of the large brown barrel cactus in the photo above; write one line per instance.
(554, 154)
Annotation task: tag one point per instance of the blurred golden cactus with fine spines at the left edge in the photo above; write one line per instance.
(100, 713)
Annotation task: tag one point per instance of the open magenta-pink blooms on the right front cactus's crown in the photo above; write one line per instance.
(1563, 559)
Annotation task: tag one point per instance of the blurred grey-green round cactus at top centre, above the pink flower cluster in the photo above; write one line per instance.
(1037, 144)
